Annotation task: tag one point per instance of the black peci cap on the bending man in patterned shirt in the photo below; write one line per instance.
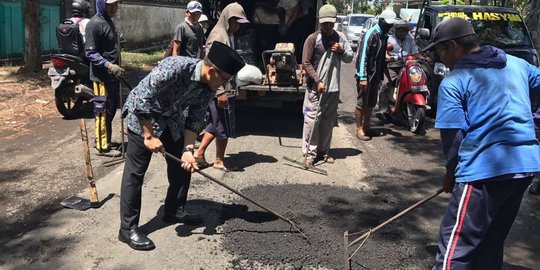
(225, 58)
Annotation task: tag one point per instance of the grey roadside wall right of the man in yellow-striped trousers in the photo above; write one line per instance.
(147, 26)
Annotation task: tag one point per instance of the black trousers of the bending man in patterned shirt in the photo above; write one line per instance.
(137, 161)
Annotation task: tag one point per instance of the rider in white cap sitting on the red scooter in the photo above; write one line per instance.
(403, 45)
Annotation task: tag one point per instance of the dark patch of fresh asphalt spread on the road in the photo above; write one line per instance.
(324, 213)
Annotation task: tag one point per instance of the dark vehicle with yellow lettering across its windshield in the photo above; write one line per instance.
(498, 26)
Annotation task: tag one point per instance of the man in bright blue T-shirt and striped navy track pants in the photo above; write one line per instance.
(488, 138)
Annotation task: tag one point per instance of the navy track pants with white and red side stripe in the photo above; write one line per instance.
(476, 223)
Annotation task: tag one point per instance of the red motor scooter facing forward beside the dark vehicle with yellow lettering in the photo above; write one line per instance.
(410, 94)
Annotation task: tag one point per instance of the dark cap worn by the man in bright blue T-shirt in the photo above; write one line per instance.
(449, 29)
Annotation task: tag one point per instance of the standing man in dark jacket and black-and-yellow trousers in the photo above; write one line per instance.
(102, 50)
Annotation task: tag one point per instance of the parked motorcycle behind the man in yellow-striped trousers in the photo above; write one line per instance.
(71, 83)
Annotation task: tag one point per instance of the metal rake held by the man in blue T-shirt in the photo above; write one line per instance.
(369, 232)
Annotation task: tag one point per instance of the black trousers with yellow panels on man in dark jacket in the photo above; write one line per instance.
(106, 99)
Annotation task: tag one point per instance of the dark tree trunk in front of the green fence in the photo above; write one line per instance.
(32, 25)
